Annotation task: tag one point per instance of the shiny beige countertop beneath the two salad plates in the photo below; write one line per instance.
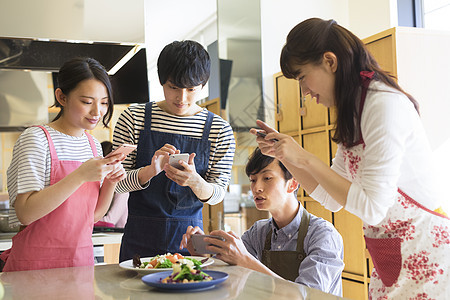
(114, 282)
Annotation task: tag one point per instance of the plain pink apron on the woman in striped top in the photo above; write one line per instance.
(62, 238)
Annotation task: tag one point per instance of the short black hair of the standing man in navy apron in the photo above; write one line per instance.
(186, 64)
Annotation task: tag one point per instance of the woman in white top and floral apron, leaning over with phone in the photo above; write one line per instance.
(381, 171)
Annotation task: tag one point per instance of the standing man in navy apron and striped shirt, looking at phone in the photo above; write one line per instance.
(170, 199)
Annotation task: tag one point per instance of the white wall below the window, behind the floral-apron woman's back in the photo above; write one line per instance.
(423, 73)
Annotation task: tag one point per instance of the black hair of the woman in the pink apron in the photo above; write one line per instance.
(78, 69)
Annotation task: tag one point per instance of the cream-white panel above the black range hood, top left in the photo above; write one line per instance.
(86, 20)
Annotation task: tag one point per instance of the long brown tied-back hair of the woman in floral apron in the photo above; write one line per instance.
(308, 41)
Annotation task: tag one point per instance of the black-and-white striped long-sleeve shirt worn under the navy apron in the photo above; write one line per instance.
(131, 123)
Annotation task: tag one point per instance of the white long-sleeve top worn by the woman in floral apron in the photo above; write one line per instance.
(396, 155)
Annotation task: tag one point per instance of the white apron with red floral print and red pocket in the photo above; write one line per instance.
(409, 247)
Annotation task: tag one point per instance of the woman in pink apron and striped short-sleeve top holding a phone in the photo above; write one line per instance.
(55, 174)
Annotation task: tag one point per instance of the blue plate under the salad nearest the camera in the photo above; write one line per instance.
(154, 280)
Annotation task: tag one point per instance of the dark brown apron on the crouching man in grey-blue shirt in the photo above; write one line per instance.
(287, 263)
